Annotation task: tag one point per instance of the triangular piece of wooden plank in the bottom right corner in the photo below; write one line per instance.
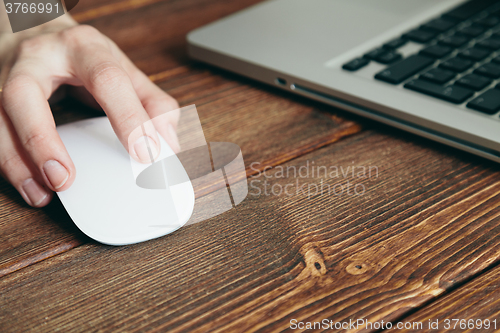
(473, 307)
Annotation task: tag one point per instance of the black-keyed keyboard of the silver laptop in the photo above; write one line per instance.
(460, 60)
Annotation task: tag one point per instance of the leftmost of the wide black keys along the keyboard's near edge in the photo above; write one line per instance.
(404, 69)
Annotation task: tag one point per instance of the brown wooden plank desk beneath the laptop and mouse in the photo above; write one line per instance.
(420, 243)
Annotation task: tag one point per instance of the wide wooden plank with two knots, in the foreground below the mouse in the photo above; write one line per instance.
(427, 221)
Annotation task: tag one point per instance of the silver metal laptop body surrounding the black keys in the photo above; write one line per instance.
(301, 46)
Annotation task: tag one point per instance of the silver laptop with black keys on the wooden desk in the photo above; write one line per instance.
(430, 67)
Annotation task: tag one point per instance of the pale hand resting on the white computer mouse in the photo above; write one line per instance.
(34, 64)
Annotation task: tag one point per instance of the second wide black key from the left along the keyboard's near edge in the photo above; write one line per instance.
(453, 94)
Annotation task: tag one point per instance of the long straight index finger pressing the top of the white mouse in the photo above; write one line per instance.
(105, 78)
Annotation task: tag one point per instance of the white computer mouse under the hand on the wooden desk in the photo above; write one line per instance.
(107, 202)
